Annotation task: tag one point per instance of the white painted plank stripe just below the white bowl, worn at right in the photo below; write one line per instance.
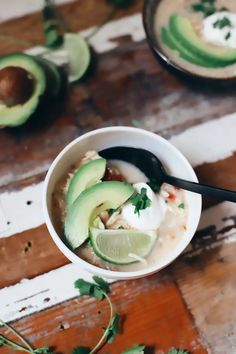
(28, 296)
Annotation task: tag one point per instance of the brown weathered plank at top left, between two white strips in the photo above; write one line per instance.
(17, 34)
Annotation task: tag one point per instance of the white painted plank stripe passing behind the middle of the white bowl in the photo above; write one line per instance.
(207, 142)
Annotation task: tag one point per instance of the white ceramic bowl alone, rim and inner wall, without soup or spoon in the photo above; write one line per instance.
(98, 140)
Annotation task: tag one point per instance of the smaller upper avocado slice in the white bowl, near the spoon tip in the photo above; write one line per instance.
(87, 175)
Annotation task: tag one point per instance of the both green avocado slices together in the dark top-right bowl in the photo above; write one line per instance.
(182, 37)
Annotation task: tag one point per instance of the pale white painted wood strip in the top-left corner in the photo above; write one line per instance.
(16, 8)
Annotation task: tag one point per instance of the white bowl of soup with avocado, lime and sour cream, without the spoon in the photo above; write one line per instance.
(110, 218)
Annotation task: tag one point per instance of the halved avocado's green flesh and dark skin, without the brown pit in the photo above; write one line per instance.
(48, 86)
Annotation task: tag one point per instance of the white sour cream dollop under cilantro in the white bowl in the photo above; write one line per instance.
(149, 218)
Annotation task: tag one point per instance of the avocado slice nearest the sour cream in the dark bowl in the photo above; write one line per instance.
(182, 30)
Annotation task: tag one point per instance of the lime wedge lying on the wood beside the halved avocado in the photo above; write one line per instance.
(78, 55)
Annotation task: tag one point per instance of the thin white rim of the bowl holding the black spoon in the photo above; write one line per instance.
(119, 275)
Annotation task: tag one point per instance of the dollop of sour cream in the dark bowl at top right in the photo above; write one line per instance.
(225, 36)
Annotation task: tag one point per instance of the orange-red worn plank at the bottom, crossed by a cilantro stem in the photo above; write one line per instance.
(152, 313)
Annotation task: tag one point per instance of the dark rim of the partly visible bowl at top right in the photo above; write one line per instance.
(157, 50)
